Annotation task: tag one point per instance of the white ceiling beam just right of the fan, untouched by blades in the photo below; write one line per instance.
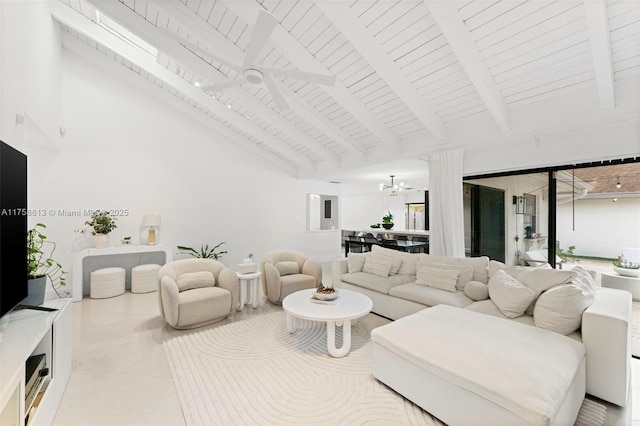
(347, 22)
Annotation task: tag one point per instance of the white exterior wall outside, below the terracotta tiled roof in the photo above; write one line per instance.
(602, 227)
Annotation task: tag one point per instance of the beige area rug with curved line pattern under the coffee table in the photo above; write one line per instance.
(254, 372)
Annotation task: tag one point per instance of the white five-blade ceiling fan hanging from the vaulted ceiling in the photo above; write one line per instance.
(252, 72)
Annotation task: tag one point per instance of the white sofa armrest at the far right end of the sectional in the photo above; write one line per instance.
(606, 334)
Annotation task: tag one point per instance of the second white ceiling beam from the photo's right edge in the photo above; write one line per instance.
(446, 15)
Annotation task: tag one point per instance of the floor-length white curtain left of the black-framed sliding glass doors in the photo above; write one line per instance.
(446, 220)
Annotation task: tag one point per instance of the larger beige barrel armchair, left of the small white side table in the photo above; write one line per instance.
(196, 292)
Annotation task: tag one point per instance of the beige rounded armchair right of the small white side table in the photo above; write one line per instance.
(285, 272)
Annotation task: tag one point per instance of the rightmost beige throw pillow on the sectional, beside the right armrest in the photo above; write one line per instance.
(560, 308)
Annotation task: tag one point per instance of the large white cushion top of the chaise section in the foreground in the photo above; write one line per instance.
(530, 377)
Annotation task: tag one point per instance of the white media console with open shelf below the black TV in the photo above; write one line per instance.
(24, 333)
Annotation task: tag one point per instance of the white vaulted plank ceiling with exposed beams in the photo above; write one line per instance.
(411, 76)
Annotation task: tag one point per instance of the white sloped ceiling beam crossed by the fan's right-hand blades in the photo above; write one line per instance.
(302, 59)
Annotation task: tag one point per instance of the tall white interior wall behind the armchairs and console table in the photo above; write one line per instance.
(125, 150)
